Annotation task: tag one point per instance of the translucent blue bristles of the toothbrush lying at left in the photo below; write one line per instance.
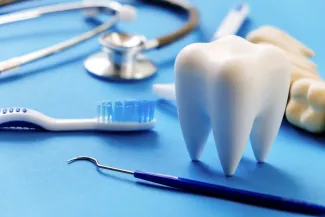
(126, 111)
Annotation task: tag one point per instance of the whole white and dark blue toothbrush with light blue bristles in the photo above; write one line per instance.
(128, 115)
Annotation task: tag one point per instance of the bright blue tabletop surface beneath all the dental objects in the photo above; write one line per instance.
(35, 180)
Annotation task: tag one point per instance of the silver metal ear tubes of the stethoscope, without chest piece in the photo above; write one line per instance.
(120, 12)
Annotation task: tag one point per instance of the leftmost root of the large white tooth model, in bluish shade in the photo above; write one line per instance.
(194, 120)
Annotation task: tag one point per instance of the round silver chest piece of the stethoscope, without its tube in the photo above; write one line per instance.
(120, 58)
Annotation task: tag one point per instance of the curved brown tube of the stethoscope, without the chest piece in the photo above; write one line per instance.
(191, 24)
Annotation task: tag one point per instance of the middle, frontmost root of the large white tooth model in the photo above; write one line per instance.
(231, 127)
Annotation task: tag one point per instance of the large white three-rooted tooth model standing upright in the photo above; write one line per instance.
(236, 88)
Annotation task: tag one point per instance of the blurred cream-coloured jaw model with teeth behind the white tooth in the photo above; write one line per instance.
(306, 104)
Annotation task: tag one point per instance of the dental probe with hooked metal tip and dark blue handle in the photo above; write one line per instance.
(248, 197)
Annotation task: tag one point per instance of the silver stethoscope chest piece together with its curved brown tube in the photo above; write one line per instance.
(122, 56)
